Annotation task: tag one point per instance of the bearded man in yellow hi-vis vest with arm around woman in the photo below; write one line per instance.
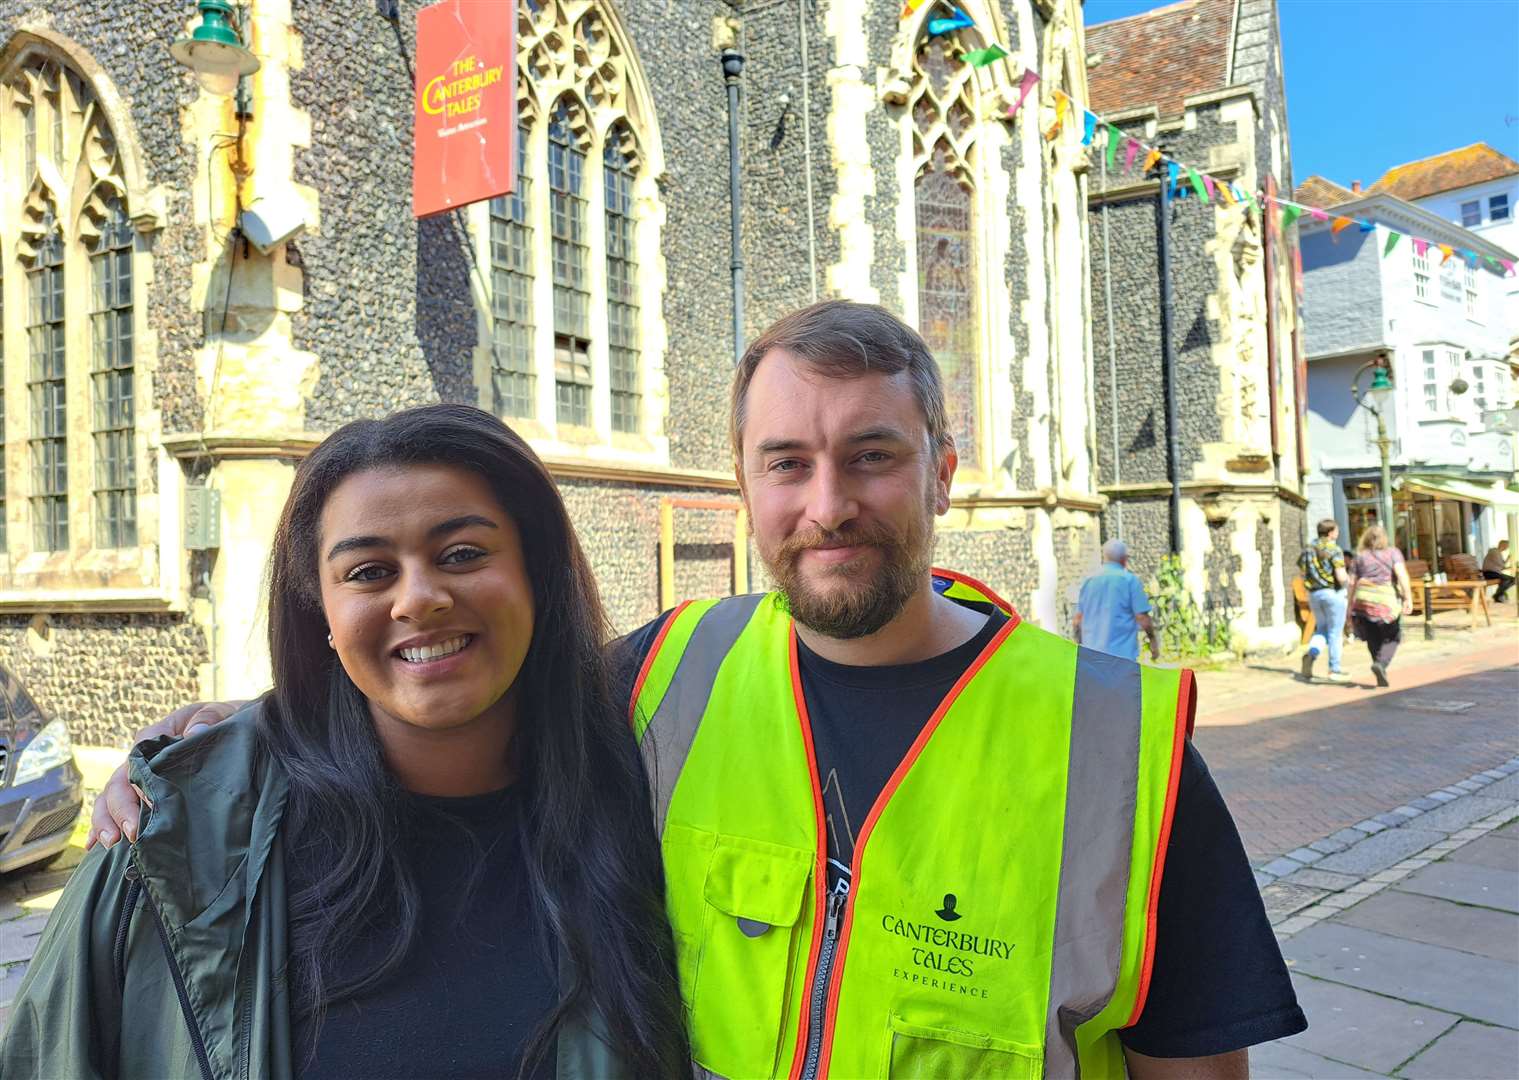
(908, 833)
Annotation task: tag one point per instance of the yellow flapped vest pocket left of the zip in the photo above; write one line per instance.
(753, 905)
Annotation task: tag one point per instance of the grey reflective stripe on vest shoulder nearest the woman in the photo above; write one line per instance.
(672, 730)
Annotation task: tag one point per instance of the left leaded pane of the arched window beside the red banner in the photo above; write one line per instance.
(513, 292)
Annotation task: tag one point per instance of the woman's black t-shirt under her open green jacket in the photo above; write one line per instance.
(478, 982)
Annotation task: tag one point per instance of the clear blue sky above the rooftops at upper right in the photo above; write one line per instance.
(1372, 84)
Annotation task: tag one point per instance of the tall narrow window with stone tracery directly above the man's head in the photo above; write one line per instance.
(944, 107)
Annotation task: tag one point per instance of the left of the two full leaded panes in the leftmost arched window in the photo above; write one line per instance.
(46, 387)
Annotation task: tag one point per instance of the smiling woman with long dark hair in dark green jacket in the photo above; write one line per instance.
(428, 848)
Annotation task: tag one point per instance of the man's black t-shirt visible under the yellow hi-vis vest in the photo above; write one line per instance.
(1219, 982)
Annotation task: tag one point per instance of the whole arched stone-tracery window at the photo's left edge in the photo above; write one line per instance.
(75, 245)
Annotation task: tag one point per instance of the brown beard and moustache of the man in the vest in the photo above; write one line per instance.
(864, 601)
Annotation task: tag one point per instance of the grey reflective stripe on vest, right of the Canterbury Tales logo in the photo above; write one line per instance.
(1101, 795)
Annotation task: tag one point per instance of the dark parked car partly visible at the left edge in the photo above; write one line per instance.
(40, 785)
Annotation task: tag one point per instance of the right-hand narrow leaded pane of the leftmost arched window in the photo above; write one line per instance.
(113, 382)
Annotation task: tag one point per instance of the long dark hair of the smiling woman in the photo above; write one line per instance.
(587, 827)
